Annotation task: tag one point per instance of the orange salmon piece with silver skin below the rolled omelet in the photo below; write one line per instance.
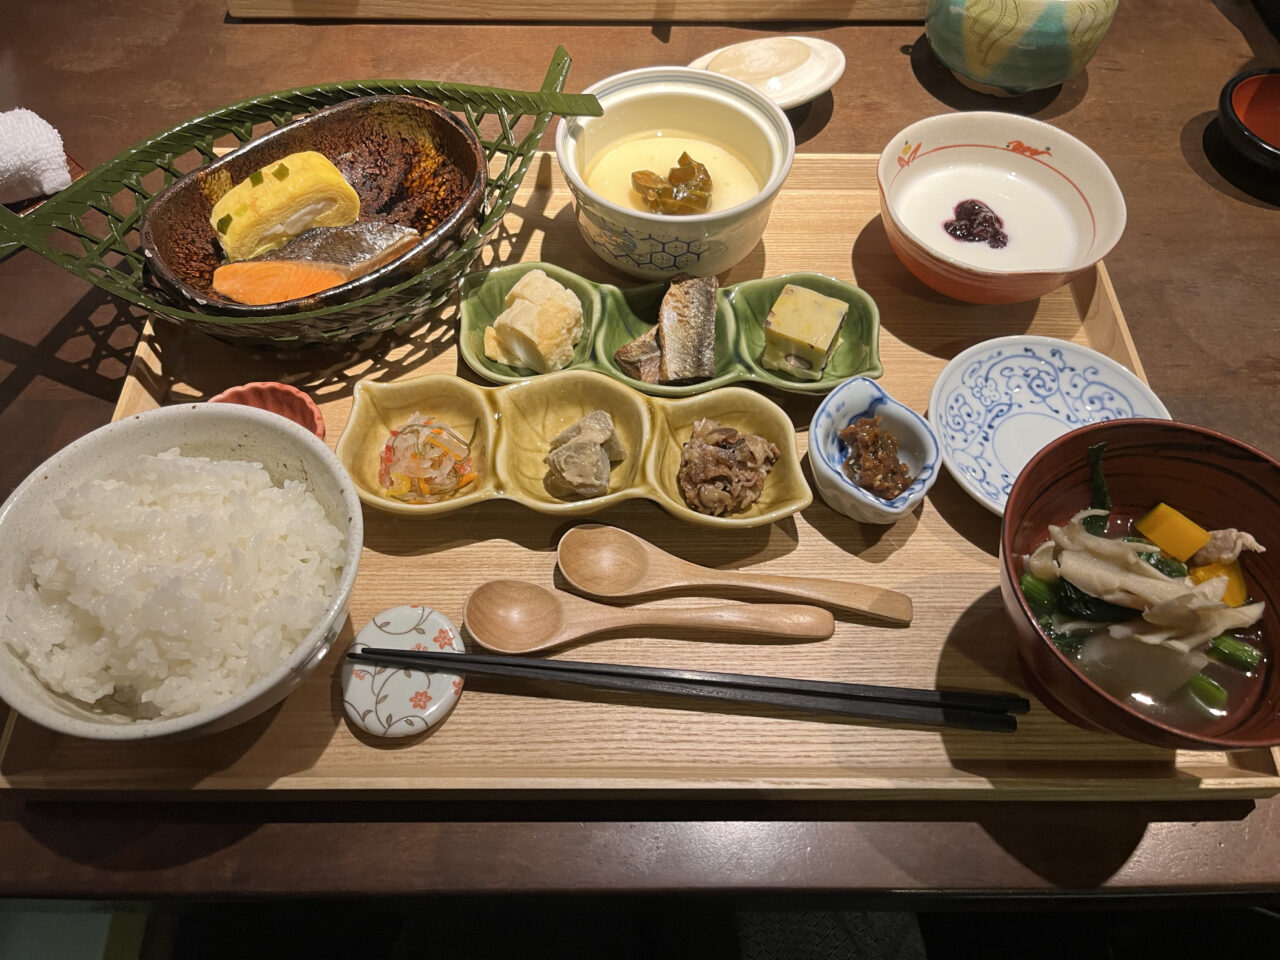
(316, 260)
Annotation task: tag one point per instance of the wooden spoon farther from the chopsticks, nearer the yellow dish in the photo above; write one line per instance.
(605, 561)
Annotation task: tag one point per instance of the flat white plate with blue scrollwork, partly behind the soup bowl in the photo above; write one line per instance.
(996, 405)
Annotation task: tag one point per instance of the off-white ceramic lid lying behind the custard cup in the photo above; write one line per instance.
(790, 71)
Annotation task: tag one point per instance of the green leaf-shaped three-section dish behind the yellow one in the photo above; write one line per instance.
(614, 317)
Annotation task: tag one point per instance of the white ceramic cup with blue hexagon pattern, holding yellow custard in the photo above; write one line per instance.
(676, 100)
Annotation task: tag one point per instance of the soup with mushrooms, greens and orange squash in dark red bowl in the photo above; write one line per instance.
(1153, 609)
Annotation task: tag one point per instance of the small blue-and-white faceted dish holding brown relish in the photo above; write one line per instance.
(917, 447)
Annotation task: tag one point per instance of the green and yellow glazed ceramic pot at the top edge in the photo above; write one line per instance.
(1009, 48)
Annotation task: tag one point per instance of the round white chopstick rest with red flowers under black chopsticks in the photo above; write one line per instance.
(391, 702)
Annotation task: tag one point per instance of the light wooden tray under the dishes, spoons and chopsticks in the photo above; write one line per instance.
(826, 220)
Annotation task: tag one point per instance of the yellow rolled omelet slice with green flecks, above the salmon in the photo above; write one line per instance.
(285, 199)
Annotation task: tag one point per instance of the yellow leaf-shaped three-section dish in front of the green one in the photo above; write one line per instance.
(513, 428)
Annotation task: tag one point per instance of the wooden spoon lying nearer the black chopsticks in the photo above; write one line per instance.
(511, 616)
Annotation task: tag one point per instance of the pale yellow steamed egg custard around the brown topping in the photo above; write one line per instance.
(610, 176)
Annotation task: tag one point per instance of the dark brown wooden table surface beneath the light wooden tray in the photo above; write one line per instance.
(1196, 275)
